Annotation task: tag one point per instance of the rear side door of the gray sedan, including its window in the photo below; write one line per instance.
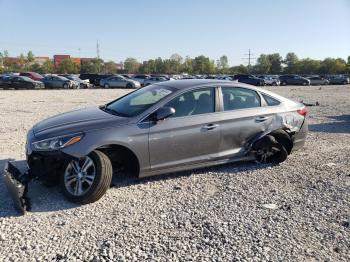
(242, 119)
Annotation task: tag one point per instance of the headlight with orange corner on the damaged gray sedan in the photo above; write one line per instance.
(57, 142)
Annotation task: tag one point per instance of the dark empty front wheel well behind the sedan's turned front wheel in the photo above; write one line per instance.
(122, 158)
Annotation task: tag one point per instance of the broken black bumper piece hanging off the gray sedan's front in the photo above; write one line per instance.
(17, 185)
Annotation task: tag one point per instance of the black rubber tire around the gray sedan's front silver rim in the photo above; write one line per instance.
(101, 183)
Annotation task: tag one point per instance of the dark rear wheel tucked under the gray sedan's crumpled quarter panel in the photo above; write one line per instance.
(268, 150)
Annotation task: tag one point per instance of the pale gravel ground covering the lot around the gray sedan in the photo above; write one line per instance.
(296, 211)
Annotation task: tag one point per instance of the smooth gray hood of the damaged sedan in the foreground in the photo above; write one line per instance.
(81, 120)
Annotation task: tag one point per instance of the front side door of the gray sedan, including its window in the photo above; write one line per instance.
(191, 136)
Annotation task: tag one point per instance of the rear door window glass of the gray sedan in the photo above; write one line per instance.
(239, 98)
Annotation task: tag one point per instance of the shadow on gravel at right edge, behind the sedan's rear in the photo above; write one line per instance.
(338, 124)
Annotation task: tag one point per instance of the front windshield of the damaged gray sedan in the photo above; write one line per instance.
(138, 101)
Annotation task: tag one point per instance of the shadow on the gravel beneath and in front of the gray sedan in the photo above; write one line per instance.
(50, 199)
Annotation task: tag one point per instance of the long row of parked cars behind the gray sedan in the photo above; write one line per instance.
(31, 79)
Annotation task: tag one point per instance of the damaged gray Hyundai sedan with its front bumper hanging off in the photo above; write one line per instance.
(165, 127)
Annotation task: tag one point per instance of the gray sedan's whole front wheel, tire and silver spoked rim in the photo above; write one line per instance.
(87, 179)
